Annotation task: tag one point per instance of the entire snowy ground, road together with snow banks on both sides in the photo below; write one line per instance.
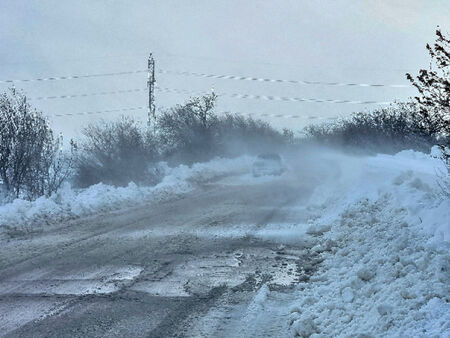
(338, 246)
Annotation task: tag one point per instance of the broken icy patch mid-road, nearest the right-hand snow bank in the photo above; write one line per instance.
(199, 274)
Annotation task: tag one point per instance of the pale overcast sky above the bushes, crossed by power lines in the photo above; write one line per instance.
(327, 41)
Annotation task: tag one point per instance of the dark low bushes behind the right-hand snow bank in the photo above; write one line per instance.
(389, 129)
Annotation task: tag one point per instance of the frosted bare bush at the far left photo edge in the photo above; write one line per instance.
(32, 163)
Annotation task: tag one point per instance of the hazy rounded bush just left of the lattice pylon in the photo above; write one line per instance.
(115, 153)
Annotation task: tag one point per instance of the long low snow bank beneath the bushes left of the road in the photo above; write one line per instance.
(71, 203)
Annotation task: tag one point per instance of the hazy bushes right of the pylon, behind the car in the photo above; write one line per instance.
(193, 132)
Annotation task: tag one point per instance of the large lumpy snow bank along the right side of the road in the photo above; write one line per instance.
(386, 268)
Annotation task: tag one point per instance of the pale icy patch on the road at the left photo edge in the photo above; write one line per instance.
(91, 281)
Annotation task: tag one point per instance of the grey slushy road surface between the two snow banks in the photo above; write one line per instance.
(197, 266)
